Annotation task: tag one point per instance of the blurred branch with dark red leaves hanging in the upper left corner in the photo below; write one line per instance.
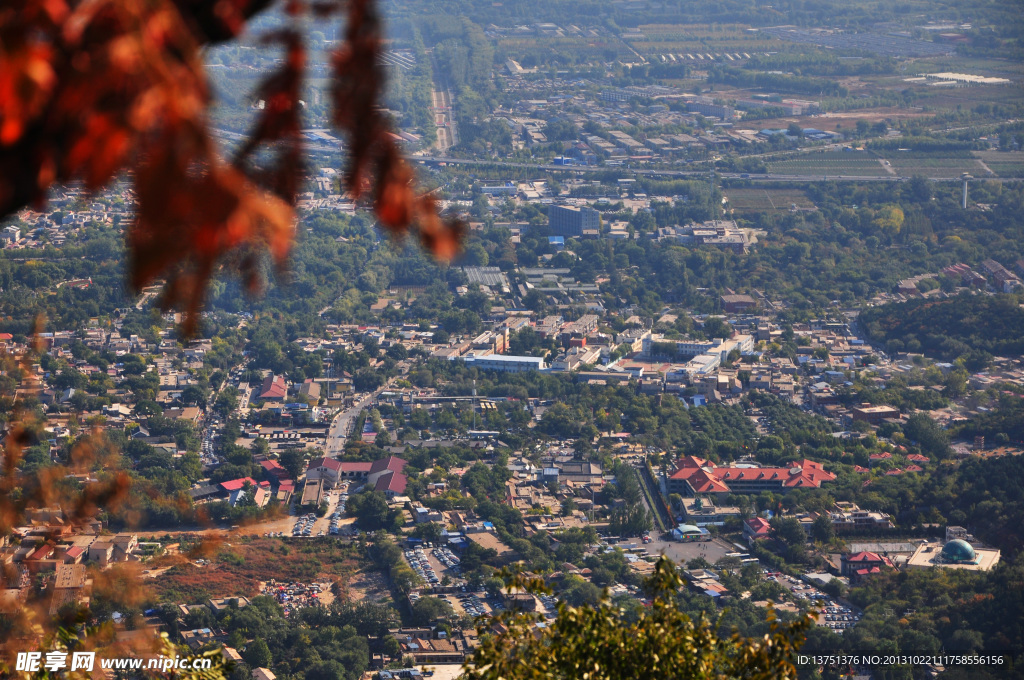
(91, 90)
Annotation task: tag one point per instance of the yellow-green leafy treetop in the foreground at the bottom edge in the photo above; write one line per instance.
(660, 642)
